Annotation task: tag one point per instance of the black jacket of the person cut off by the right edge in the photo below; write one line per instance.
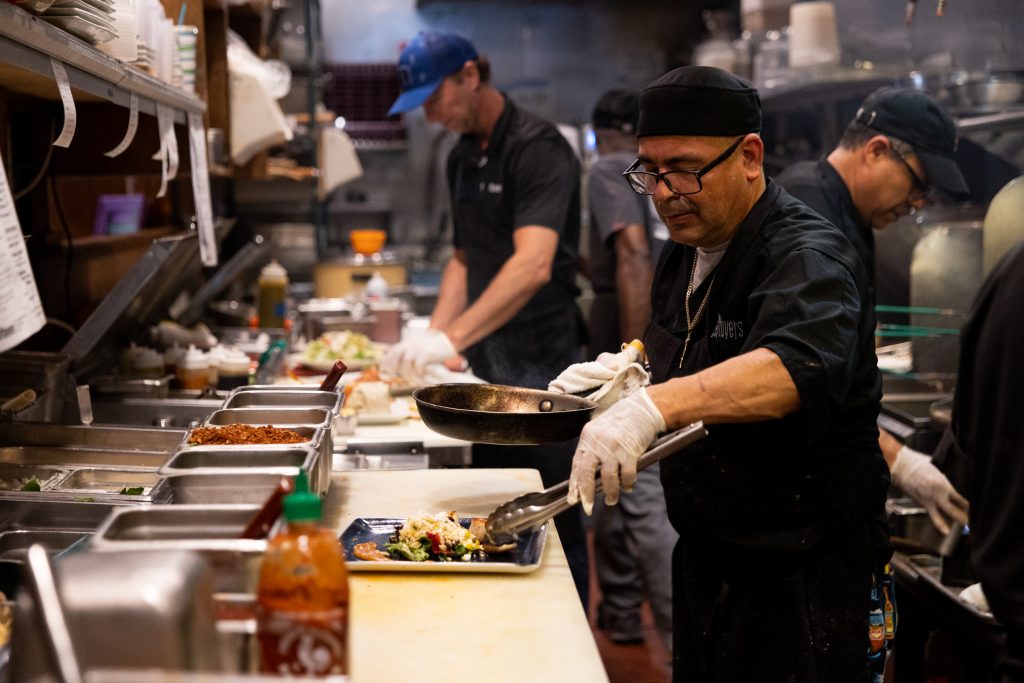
(987, 457)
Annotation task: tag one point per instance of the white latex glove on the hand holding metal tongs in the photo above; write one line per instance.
(614, 443)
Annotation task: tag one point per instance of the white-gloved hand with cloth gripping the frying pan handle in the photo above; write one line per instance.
(608, 379)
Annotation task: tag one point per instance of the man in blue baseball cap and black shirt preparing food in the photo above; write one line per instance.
(507, 300)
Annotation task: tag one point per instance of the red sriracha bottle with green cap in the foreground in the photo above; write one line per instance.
(303, 600)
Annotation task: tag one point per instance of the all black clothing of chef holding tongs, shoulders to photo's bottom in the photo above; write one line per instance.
(777, 519)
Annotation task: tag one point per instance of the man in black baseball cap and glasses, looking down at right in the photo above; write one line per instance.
(893, 158)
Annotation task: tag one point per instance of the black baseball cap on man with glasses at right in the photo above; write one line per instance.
(914, 117)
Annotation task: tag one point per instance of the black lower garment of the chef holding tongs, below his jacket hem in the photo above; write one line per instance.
(773, 616)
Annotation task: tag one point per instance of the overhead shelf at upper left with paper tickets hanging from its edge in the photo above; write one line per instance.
(27, 44)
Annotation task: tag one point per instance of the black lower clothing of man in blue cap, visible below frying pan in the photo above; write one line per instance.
(554, 462)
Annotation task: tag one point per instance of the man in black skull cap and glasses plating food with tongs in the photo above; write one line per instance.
(760, 325)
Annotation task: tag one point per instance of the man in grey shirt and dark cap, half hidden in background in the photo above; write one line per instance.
(632, 541)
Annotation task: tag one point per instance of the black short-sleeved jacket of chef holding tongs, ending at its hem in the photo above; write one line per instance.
(791, 283)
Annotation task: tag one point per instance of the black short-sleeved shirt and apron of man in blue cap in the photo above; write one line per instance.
(528, 176)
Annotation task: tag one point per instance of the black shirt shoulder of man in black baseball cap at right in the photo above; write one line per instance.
(820, 186)
